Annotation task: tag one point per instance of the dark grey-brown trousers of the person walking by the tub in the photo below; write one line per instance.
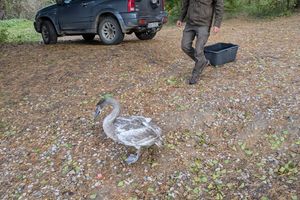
(197, 53)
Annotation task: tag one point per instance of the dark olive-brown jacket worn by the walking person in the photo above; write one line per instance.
(201, 12)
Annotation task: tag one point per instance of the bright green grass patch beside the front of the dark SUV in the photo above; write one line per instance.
(18, 31)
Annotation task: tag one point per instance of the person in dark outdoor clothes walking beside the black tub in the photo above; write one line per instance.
(199, 14)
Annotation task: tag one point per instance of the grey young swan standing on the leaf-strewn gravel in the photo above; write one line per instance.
(134, 131)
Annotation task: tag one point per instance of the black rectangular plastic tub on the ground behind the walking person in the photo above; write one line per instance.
(220, 53)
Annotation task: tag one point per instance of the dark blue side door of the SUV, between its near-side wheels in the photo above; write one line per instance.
(76, 14)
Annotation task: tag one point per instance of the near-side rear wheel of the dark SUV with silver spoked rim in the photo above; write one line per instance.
(110, 32)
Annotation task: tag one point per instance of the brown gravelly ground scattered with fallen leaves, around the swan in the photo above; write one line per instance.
(234, 135)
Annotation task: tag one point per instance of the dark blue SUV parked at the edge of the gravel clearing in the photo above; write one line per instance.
(110, 19)
